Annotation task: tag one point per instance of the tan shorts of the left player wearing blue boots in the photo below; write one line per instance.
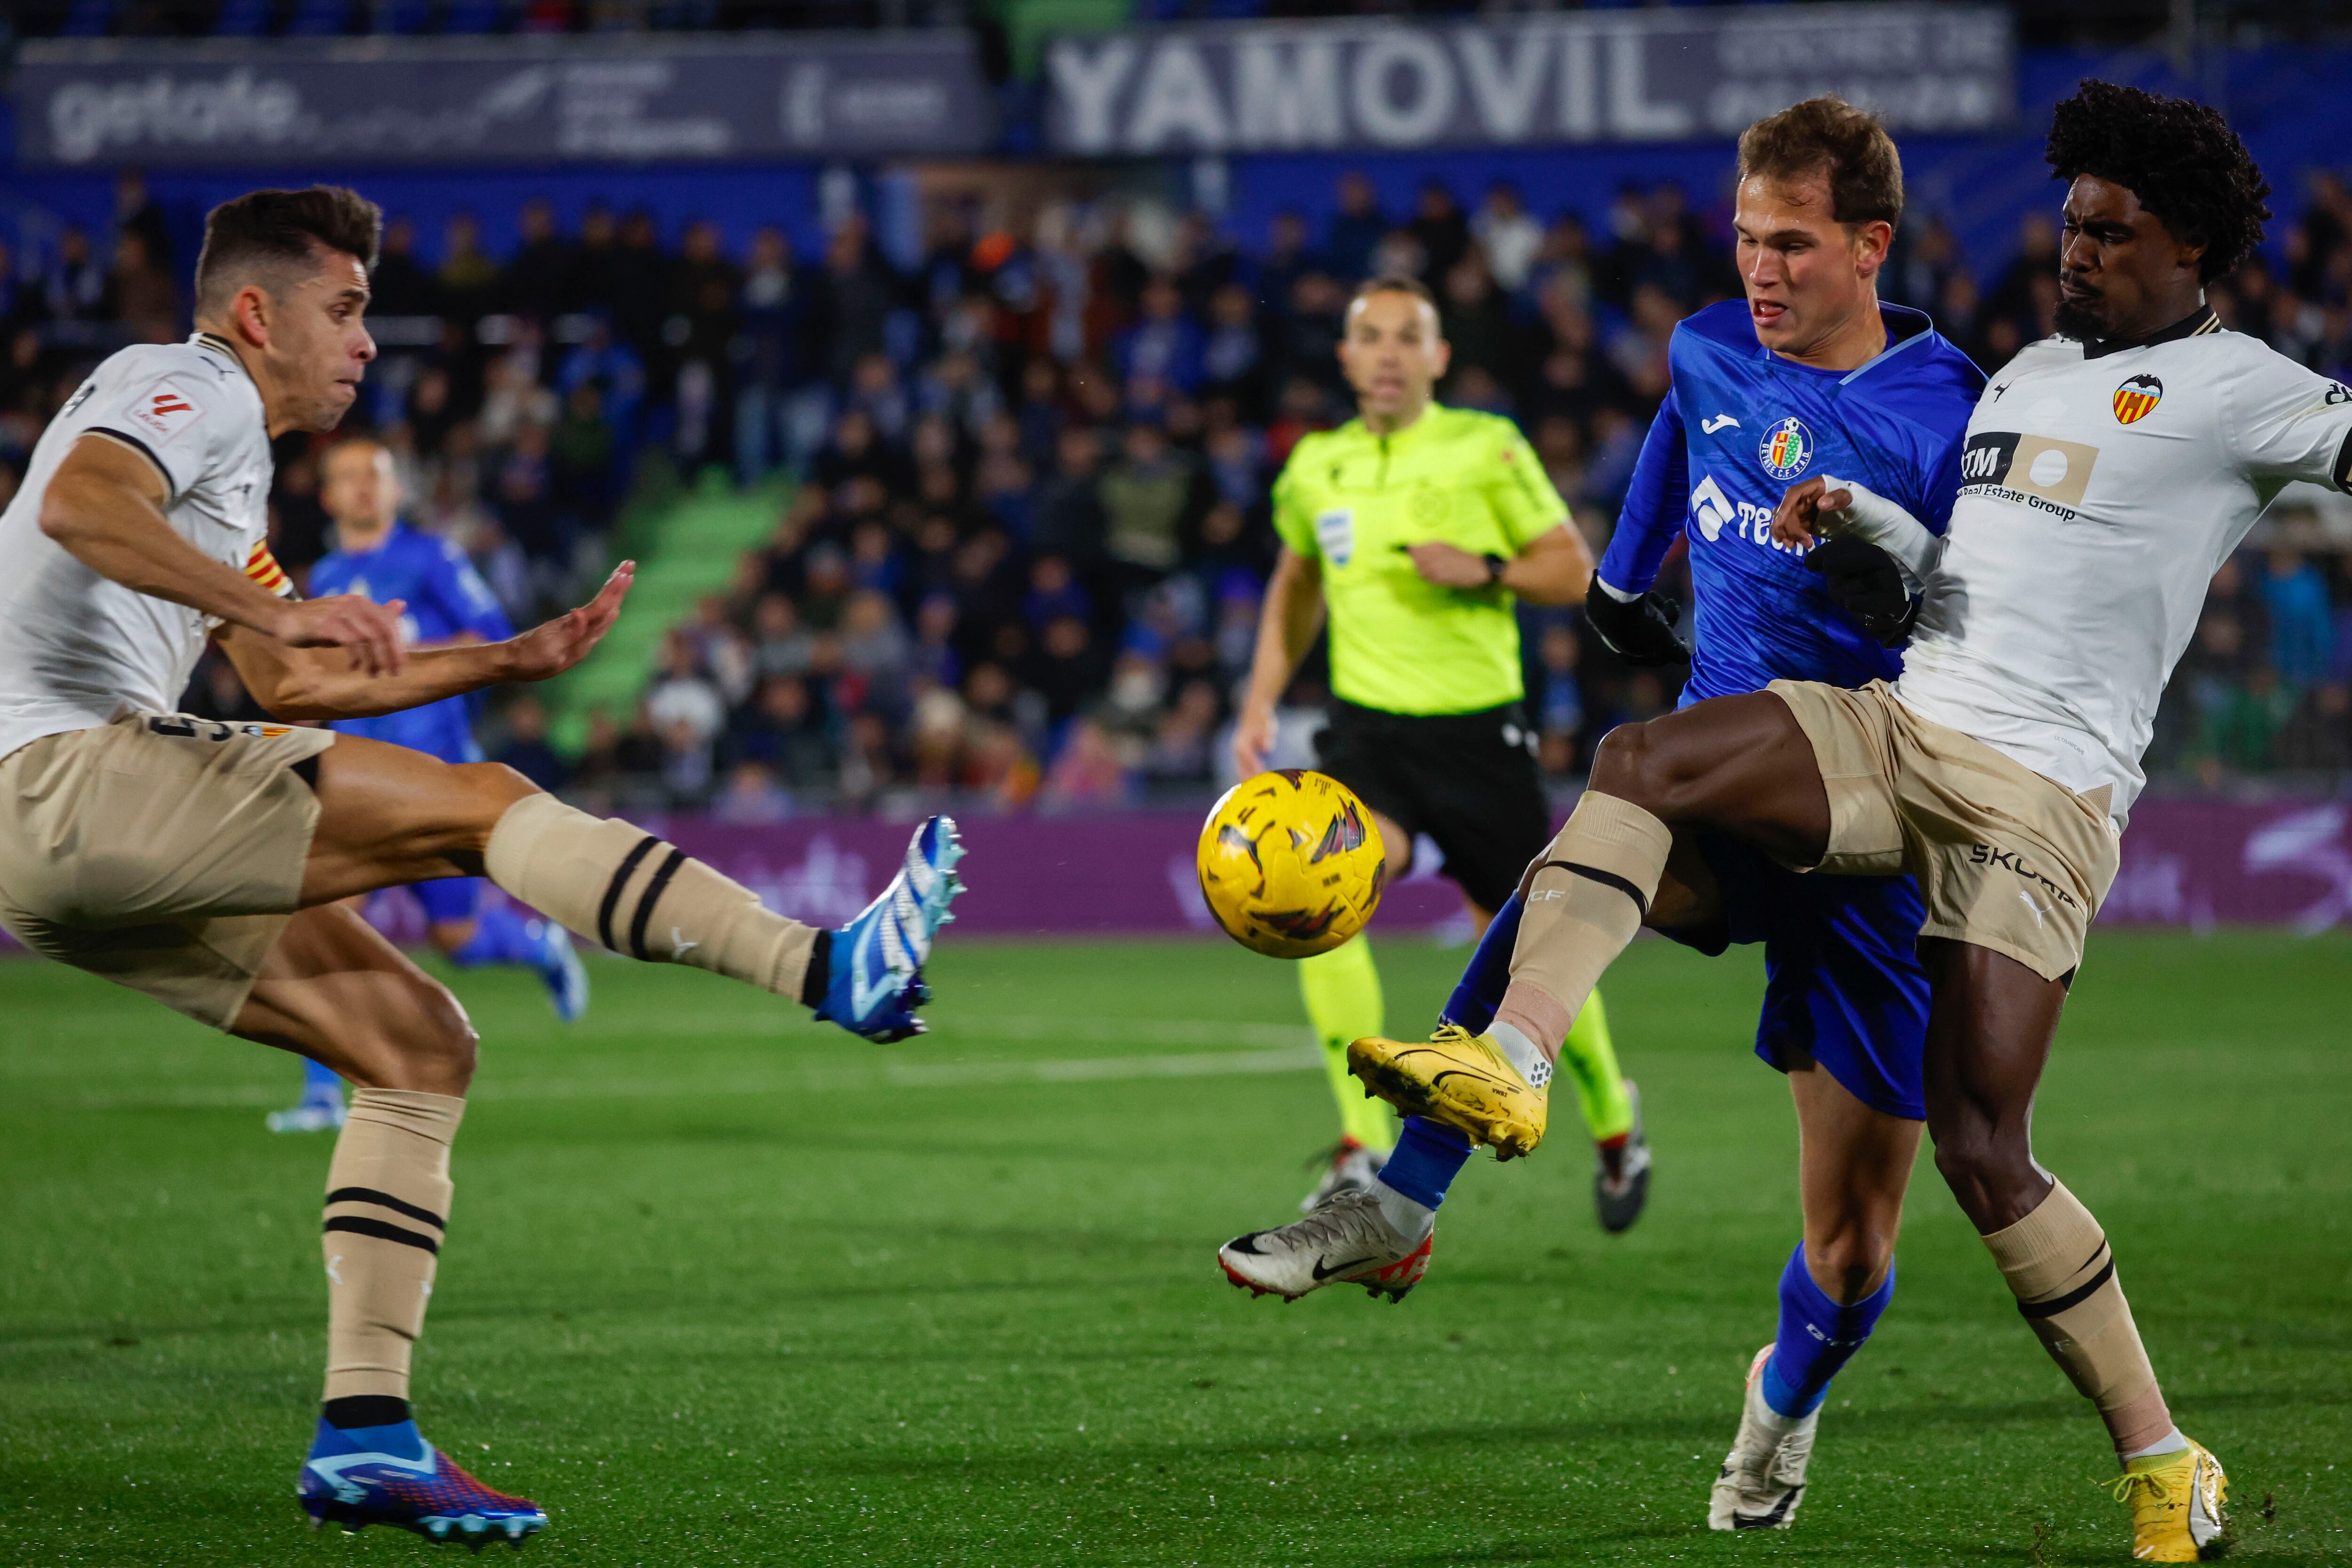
(159, 852)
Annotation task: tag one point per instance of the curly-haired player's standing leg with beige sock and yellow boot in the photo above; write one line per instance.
(1986, 1045)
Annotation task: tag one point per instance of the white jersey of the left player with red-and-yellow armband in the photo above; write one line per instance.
(79, 650)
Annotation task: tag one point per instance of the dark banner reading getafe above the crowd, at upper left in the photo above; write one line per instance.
(497, 102)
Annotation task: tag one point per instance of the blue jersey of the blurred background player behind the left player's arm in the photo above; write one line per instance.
(446, 601)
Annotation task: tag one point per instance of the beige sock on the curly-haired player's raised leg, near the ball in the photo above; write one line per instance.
(1584, 904)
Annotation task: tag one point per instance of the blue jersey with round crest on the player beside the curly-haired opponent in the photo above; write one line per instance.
(1742, 427)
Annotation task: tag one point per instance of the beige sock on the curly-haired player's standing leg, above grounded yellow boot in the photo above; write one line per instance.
(2059, 1266)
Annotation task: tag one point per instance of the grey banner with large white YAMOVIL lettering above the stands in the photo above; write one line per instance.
(1523, 81)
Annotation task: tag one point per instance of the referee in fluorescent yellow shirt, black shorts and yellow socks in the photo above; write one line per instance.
(1417, 530)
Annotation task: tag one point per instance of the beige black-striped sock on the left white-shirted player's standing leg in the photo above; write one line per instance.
(387, 1212)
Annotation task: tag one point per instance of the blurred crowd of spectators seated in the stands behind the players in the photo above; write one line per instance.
(1022, 485)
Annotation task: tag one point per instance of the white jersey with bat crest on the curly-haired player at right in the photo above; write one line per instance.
(2102, 490)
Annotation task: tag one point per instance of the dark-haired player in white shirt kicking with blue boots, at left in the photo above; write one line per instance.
(206, 864)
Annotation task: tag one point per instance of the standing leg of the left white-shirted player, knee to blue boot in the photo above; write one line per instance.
(342, 993)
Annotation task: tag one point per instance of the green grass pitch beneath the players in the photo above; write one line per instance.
(723, 1292)
